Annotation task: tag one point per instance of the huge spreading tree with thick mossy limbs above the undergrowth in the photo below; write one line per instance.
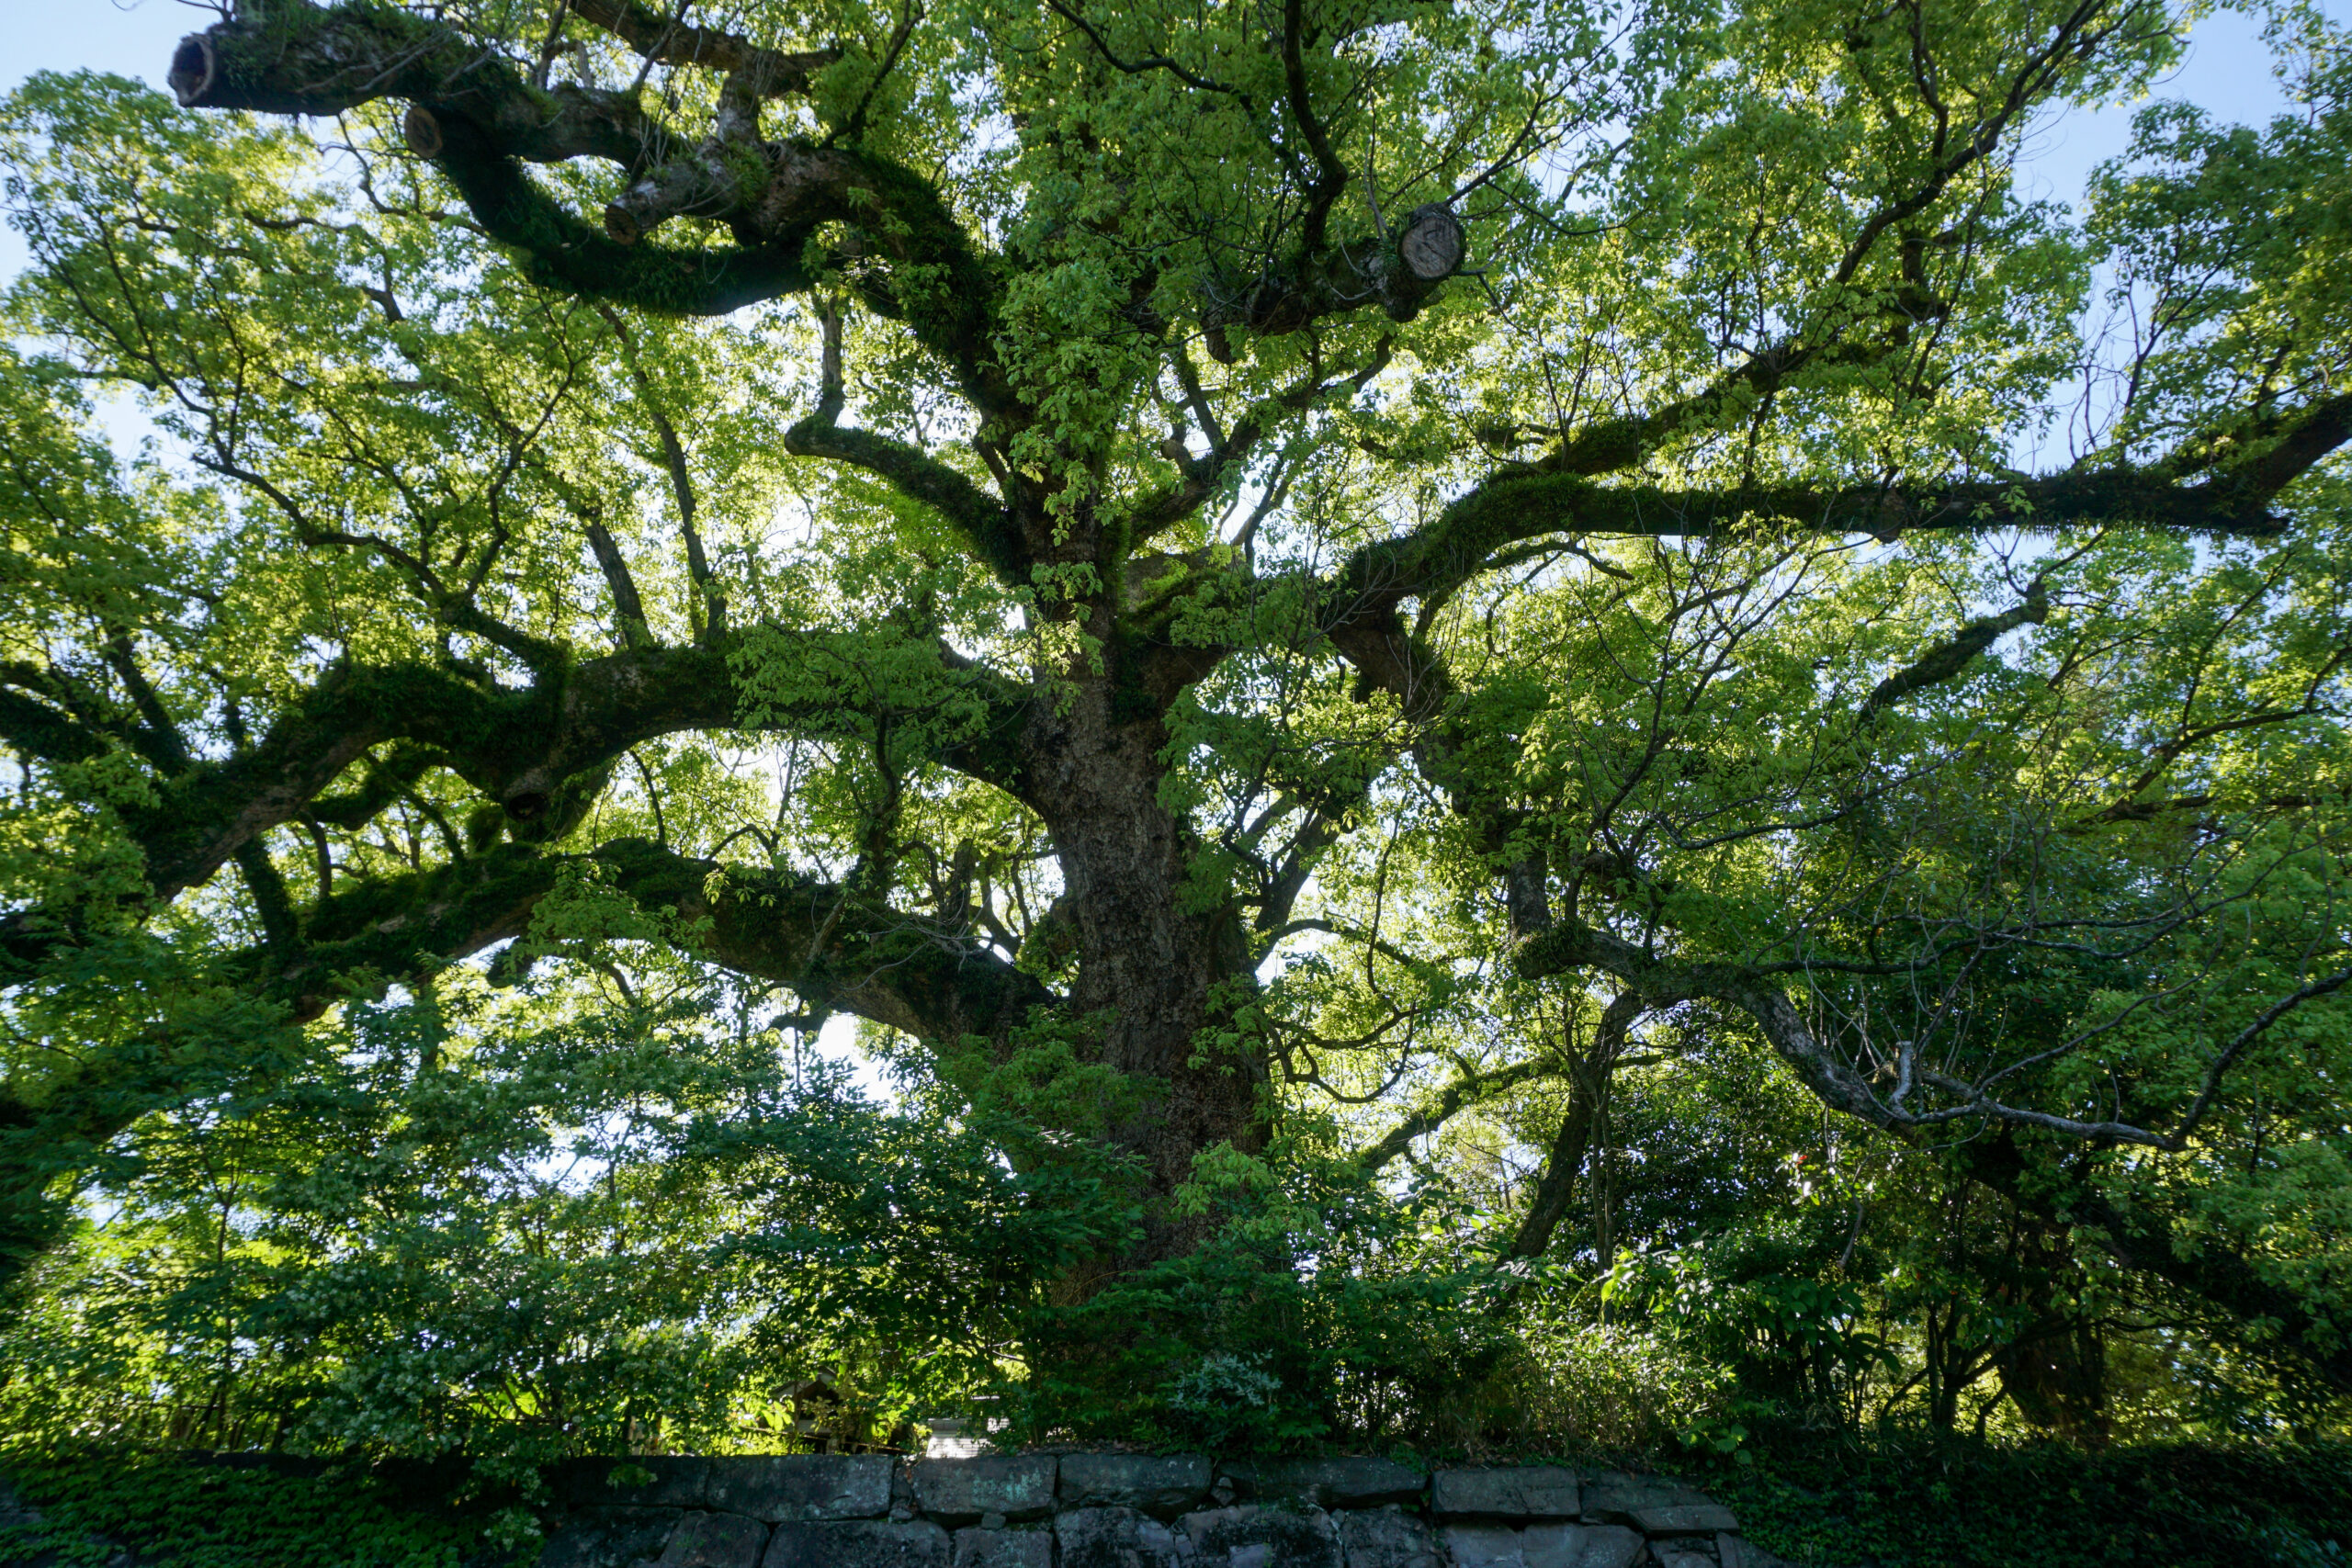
(1215, 563)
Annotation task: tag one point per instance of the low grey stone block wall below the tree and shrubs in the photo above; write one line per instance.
(1125, 1510)
